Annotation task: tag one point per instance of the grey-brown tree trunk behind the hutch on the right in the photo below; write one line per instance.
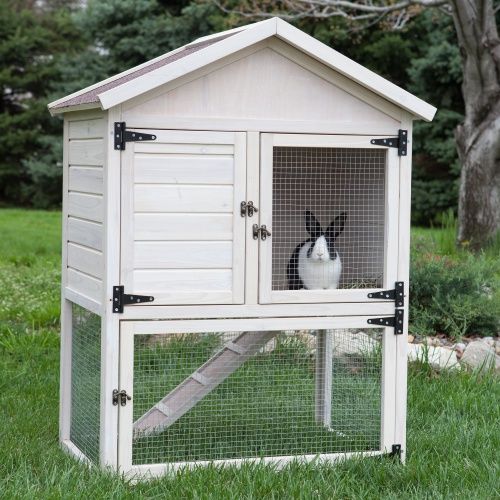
(478, 137)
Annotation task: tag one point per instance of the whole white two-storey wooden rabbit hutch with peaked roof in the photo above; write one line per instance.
(235, 257)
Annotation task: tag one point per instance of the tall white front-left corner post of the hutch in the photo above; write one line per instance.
(111, 276)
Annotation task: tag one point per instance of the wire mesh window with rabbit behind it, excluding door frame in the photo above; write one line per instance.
(328, 218)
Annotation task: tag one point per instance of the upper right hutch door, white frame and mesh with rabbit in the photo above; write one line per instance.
(331, 205)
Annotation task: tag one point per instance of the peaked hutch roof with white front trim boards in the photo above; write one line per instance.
(206, 50)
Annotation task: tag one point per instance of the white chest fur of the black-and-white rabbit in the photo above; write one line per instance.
(318, 275)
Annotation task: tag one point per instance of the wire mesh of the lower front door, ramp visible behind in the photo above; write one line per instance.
(233, 395)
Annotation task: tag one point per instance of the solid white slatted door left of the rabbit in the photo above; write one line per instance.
(182, 234)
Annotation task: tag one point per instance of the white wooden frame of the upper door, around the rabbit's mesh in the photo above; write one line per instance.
(268, 141)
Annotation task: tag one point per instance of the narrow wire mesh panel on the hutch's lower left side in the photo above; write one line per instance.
(85, 381)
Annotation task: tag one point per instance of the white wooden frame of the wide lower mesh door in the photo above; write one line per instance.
(128, 329)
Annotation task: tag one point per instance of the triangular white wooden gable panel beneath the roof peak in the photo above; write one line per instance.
(269, 87)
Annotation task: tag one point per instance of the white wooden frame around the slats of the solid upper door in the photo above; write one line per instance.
(238, 141)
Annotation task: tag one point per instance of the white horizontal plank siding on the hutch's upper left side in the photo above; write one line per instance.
(84, 210)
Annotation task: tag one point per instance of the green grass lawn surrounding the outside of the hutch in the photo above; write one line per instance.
(453, 420)
